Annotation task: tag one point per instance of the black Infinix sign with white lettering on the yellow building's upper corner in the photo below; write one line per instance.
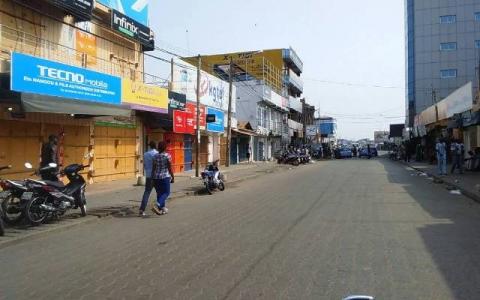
(132, 28)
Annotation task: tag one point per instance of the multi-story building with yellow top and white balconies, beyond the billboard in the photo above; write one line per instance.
(267, 81)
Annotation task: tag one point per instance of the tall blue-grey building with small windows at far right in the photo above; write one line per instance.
(442, 50)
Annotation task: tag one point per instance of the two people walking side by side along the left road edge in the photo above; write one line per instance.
(157, 164)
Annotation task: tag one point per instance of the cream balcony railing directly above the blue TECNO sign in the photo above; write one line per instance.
(23, 42)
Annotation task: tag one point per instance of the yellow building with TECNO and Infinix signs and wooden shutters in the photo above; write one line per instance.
(75, 69)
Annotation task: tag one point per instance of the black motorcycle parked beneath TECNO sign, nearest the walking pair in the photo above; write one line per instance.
(48, 198)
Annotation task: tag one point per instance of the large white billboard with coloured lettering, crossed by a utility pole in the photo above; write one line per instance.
(213, 91)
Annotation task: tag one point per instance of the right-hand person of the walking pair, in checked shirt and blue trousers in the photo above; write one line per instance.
(162, 175)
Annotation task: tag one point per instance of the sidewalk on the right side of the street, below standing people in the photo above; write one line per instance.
(468, 183)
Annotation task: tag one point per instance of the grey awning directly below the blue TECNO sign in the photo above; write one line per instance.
(59, 105)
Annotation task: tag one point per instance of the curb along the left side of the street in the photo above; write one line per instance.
(104, 212)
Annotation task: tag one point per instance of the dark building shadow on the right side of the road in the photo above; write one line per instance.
(453, 241)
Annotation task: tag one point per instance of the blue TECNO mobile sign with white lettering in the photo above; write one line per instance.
(40, 76)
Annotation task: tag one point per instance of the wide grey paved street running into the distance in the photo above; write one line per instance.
(321, 231)
